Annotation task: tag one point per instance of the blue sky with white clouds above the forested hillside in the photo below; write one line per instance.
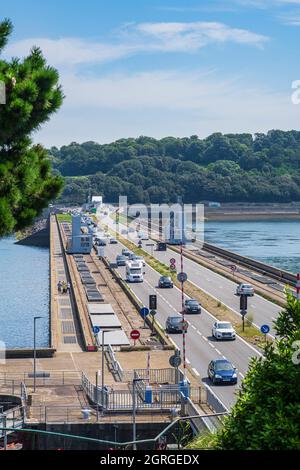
(163, 67)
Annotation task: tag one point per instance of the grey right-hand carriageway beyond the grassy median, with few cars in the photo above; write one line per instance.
(223, 289)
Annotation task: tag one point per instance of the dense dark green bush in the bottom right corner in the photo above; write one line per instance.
(267, 413)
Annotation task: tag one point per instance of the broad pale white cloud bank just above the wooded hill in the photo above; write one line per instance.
(165, 103)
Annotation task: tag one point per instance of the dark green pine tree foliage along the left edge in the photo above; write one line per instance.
(32, 95)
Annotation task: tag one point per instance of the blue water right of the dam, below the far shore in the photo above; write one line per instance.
(275, 242)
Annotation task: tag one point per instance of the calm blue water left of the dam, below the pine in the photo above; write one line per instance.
(24, 293)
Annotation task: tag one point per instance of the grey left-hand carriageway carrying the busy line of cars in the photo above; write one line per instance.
(201, 348)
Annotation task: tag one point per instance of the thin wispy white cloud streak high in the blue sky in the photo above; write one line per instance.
(137, 39)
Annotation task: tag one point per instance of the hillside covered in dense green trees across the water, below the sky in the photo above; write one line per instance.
(231, 167)
